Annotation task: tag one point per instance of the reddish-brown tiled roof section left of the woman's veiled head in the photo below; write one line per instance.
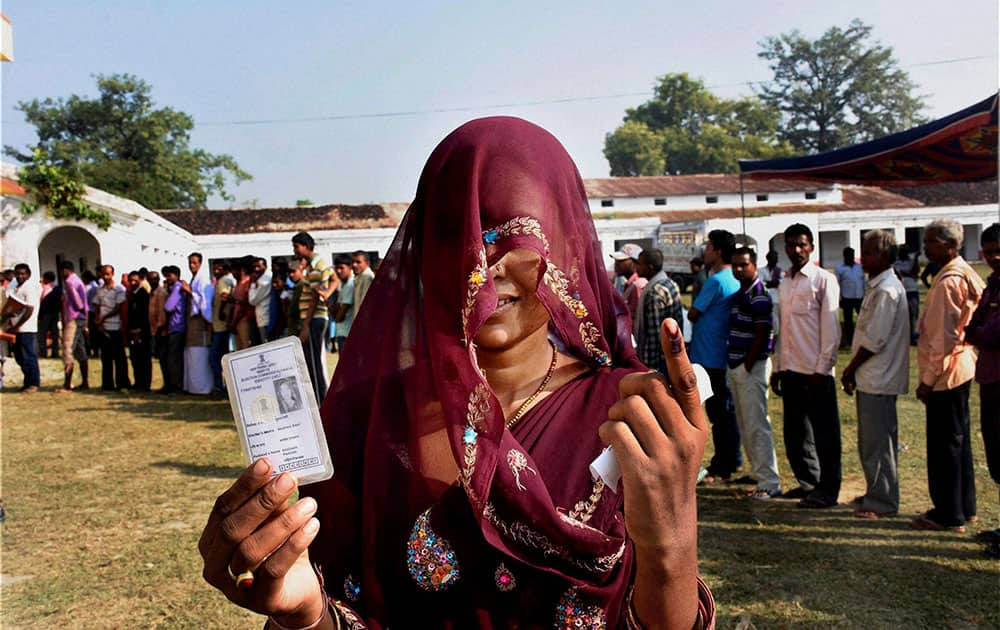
(250, 221)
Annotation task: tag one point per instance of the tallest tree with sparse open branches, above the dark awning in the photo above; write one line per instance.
(838, 90)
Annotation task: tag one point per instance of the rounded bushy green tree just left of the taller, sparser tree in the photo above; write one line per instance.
(685, 128)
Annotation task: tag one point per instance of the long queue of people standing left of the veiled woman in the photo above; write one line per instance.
(184, 320)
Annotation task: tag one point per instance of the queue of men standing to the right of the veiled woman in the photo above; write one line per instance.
(757, 330)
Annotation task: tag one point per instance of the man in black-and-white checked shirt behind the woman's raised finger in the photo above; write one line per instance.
(660, 299)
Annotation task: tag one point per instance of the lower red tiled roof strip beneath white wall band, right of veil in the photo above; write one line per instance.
(854, 198)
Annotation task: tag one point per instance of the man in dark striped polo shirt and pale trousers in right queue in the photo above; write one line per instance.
(749, 361)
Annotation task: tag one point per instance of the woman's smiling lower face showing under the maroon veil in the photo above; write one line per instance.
(519, 311)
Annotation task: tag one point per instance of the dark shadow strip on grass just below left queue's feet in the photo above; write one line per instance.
(185, 408)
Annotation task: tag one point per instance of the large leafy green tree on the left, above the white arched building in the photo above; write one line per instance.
(120, 142)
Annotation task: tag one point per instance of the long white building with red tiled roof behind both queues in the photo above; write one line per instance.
(625, 209)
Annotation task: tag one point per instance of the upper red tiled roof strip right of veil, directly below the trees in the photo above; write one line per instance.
(691, 185)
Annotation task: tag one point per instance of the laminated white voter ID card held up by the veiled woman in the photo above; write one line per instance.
(276, 411)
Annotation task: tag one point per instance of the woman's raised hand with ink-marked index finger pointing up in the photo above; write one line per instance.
(658, 431)
